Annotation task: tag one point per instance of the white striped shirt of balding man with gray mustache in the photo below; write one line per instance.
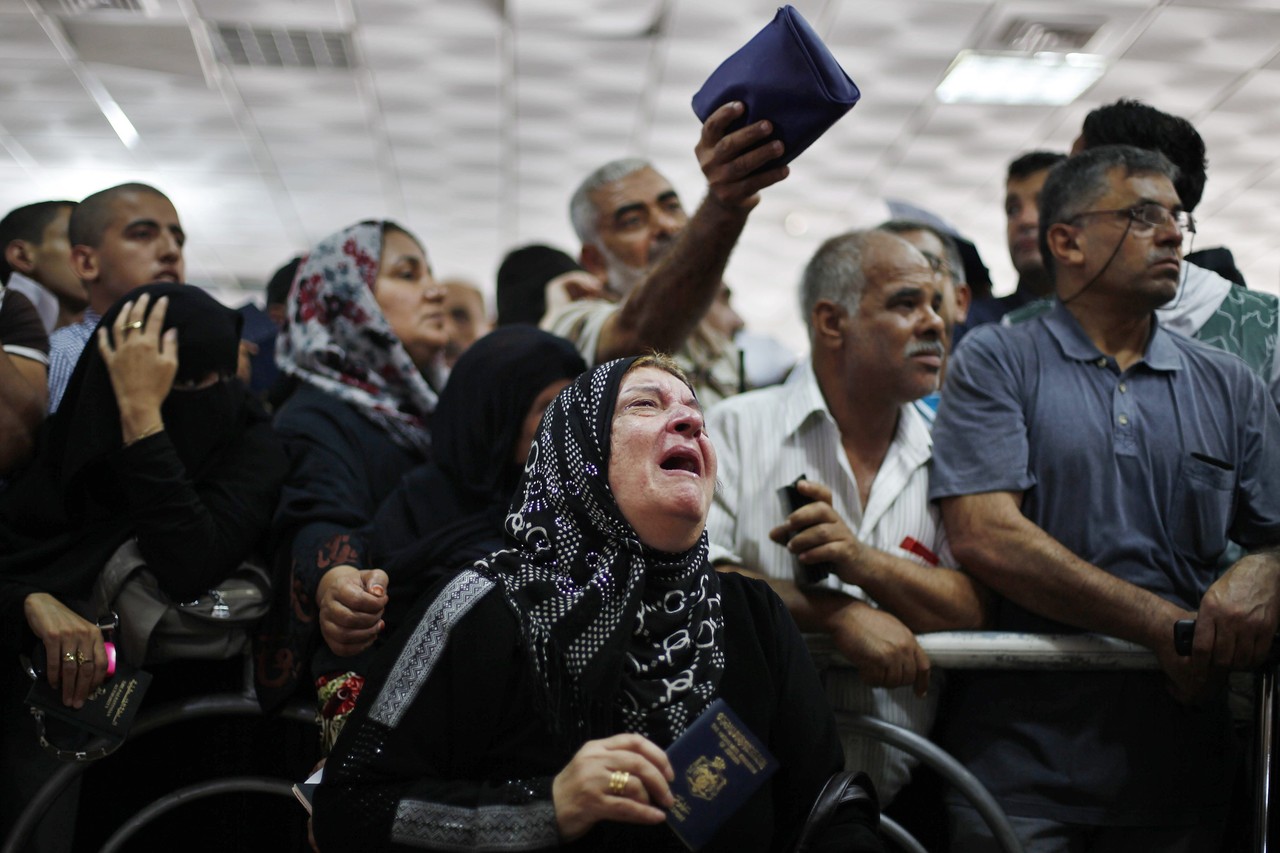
(766, 440)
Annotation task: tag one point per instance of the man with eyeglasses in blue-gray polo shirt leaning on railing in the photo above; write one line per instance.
(1091, 467)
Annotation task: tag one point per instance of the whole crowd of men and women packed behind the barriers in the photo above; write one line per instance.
(515, 560)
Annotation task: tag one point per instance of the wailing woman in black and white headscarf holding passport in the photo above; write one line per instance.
(532, 705)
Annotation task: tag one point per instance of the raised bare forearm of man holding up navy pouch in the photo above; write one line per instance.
(665, 309)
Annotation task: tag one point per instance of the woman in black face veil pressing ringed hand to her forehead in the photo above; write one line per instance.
(156, 440)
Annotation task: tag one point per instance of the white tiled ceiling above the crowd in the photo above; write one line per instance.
(473, 121)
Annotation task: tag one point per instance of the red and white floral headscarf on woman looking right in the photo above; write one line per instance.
(337, 339)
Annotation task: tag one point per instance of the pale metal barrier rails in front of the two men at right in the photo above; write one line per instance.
(1012, 651)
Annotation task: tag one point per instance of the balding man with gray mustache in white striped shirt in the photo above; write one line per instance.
(847, 421)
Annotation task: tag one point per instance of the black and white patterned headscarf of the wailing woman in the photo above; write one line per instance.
(619, 633)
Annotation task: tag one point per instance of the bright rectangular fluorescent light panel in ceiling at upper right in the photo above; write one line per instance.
(1041, 79)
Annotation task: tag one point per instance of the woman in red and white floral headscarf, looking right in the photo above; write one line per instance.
(364, 337)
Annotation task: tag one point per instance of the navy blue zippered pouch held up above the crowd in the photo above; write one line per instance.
(785, 75)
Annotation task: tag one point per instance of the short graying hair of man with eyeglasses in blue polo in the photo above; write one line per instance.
(1077, 184)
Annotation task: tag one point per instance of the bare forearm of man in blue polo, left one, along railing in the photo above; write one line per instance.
(1017, 559)
